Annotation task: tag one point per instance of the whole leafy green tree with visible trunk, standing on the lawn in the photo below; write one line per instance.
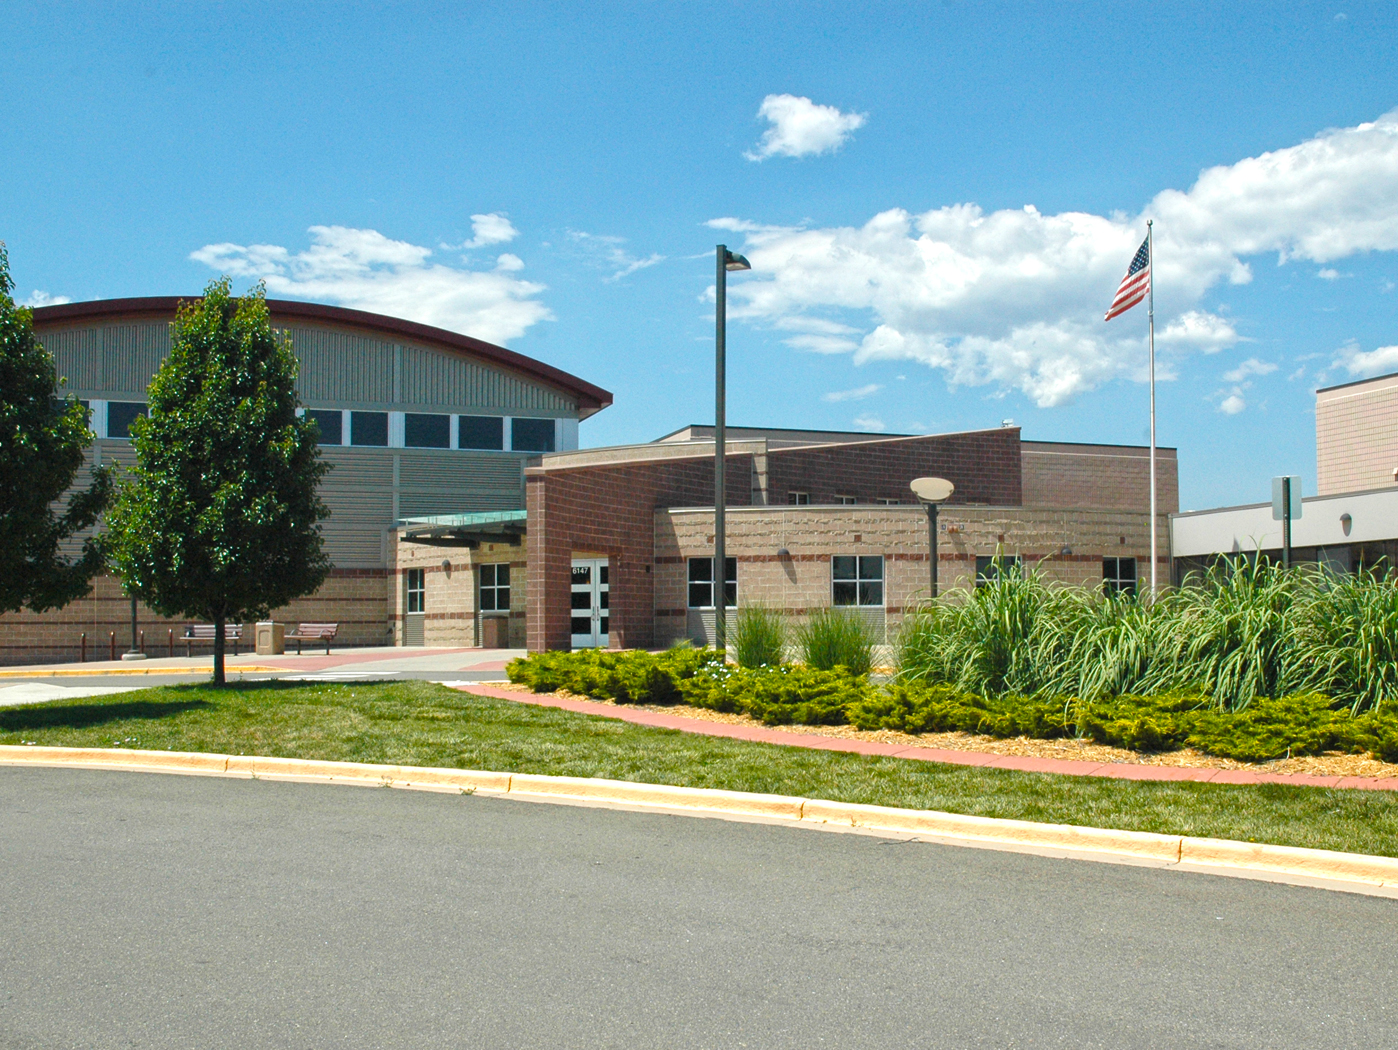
(220, 519)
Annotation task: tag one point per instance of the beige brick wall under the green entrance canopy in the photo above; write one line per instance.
(449, 577)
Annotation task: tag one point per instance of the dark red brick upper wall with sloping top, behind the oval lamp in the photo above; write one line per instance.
(985, 468)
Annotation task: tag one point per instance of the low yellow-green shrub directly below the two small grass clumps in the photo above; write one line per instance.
(778, 696)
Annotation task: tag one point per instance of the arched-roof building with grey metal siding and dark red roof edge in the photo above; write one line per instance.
(416, 422)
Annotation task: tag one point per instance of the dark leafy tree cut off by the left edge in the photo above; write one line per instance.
(43, 440)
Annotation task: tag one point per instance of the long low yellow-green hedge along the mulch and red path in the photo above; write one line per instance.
(1267, 729)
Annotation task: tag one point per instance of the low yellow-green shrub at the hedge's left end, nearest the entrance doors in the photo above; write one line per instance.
(628, 677)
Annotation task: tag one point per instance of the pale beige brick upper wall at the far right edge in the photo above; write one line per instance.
(1357, 437)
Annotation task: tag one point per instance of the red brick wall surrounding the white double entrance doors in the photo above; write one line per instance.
(610, 511)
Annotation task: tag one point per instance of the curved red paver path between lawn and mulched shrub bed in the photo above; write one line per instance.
(1123, 771)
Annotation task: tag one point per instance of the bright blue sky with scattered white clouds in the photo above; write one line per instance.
(900, 280)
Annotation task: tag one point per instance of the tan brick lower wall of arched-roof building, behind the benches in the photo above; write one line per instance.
(356, 599)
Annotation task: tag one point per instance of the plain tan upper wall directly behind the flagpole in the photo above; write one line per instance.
(1101, 477)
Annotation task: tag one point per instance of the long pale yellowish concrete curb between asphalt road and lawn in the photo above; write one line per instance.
(1221, 856)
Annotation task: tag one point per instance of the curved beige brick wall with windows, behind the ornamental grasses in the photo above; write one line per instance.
(802, 581)
